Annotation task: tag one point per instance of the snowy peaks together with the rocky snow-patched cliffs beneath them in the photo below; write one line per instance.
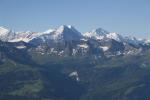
(66, 40)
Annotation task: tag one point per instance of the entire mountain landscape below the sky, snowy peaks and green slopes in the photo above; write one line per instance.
(65, 64)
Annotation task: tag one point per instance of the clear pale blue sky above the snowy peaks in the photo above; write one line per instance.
(129, 17)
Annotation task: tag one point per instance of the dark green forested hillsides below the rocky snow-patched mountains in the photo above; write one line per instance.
(35, 76)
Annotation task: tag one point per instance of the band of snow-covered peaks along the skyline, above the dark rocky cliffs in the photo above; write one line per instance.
(66, 32)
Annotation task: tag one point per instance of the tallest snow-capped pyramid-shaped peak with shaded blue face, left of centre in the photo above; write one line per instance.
(62, 33)
